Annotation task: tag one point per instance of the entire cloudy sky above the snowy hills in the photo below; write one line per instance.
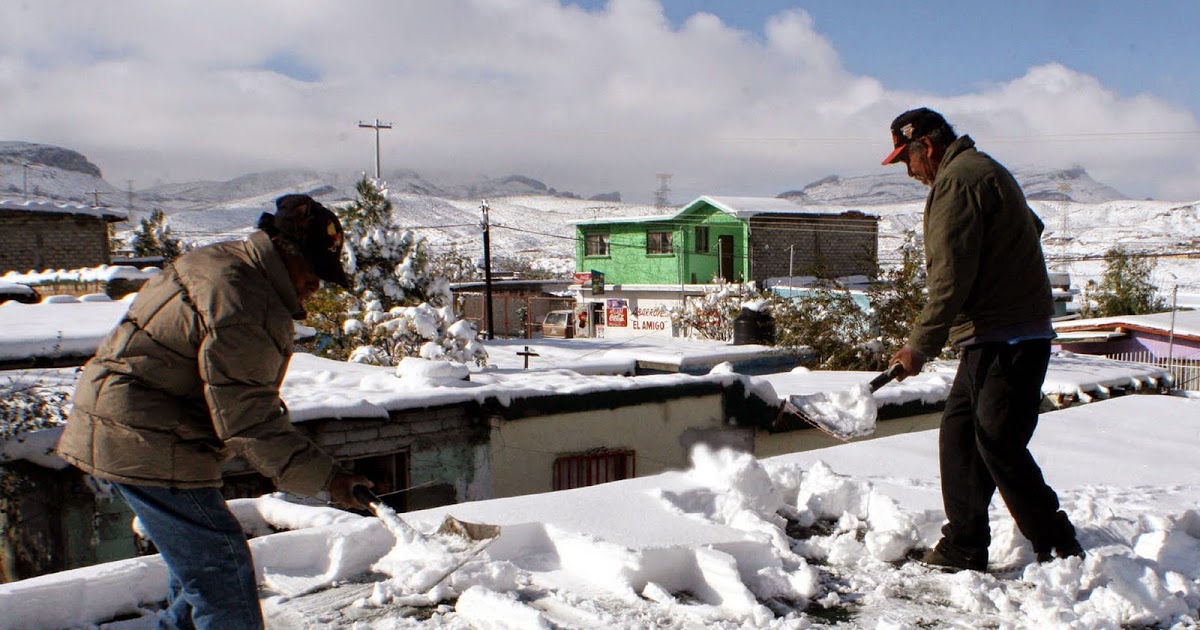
(730, 98)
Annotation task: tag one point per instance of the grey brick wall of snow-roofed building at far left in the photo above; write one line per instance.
(51, 241)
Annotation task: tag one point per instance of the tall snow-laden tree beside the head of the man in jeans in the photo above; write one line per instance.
(405, 308)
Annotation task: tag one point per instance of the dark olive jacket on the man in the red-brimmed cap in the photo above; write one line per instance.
(983, 254)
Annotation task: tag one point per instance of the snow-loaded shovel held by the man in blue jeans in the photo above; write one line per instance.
(421, 562)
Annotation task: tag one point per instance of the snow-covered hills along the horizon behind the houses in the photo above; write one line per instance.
(533, 221)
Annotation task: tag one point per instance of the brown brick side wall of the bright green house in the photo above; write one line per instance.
(830, 245)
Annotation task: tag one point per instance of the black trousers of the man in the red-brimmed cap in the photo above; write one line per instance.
(991, 417)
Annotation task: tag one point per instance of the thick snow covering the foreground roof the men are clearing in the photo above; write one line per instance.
(806, 541)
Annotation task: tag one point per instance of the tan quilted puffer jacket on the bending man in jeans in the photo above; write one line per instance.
(191, 377)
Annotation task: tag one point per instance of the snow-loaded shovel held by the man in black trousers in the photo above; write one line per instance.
(844, 416)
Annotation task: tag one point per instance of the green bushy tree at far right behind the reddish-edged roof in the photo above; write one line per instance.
(1125, 289)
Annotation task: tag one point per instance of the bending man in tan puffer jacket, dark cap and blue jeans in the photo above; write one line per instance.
(191, 377)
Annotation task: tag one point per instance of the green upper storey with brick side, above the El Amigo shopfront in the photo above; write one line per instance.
(737, 239)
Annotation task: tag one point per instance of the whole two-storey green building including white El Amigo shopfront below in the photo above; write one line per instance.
(633, 271)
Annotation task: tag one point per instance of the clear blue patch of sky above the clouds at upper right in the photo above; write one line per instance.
(955, 46)
